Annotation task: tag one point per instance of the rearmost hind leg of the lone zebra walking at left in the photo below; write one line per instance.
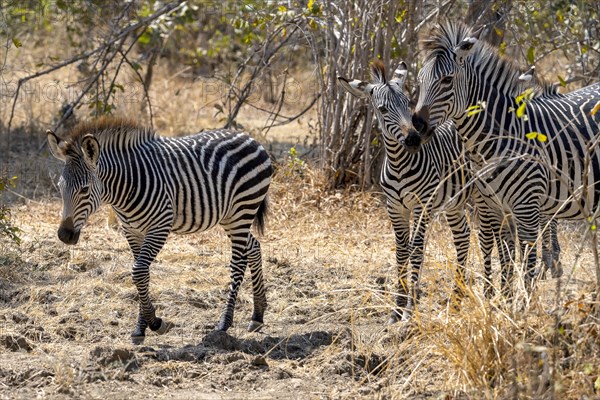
(258, 285)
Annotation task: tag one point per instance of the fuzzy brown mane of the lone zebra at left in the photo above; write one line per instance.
(125, 131)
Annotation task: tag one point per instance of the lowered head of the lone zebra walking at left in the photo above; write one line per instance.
(80, 187)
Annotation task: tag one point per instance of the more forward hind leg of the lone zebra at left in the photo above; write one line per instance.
(239, 261)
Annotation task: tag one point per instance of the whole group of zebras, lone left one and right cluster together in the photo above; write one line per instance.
(523, 171)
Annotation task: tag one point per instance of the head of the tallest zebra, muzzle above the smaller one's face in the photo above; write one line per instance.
(446, 75)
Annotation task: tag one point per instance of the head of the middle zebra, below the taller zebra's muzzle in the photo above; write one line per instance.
(391, 103)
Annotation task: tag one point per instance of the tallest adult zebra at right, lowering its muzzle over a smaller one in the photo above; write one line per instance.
(533, 180)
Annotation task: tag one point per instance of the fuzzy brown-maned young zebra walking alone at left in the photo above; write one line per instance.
(158, 185)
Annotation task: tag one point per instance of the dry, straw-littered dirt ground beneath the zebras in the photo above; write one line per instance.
(67, 312)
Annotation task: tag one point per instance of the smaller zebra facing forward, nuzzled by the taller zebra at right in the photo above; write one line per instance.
(416, 183)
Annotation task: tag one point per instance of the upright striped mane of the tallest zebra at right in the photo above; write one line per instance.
(442, 39)
